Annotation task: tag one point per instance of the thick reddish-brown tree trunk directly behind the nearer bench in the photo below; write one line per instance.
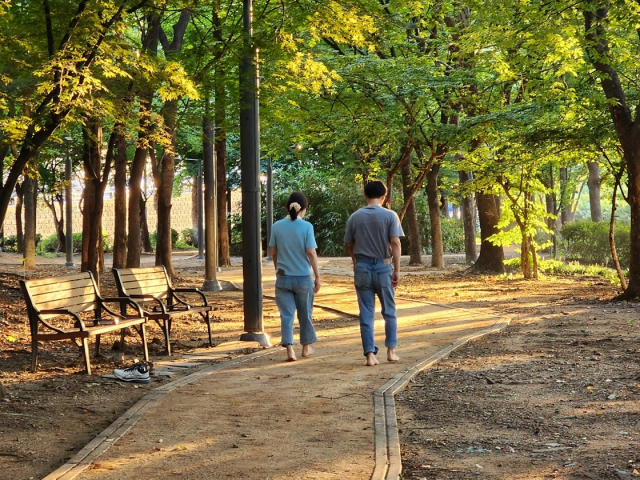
(92, 248)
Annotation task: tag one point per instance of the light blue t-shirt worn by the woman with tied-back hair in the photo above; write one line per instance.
(292, 238)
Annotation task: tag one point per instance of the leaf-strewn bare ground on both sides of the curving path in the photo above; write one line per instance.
(555, 395)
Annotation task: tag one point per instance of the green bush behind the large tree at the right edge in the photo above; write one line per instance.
(588, 242)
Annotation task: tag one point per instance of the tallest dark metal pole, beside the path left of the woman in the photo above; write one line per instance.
(250, 165)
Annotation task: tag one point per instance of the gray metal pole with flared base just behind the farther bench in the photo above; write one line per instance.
(211, 283)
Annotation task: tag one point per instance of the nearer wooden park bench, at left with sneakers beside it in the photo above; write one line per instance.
(70, 307)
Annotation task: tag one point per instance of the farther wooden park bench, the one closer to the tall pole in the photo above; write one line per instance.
(152, 289)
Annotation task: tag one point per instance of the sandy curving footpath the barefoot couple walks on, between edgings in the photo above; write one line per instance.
(317, 411)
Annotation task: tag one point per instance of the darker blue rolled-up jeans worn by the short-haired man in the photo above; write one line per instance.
(373, 277)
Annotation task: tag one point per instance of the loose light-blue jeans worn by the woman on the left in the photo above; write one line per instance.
(295, 293)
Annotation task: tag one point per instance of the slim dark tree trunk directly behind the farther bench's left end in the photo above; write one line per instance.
(120, 204)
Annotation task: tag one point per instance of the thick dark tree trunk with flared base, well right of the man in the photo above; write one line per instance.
(491, 258)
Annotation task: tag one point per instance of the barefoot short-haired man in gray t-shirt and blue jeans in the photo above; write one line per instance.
(372, 237)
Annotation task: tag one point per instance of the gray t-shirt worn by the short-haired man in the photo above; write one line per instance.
(370, 229)
